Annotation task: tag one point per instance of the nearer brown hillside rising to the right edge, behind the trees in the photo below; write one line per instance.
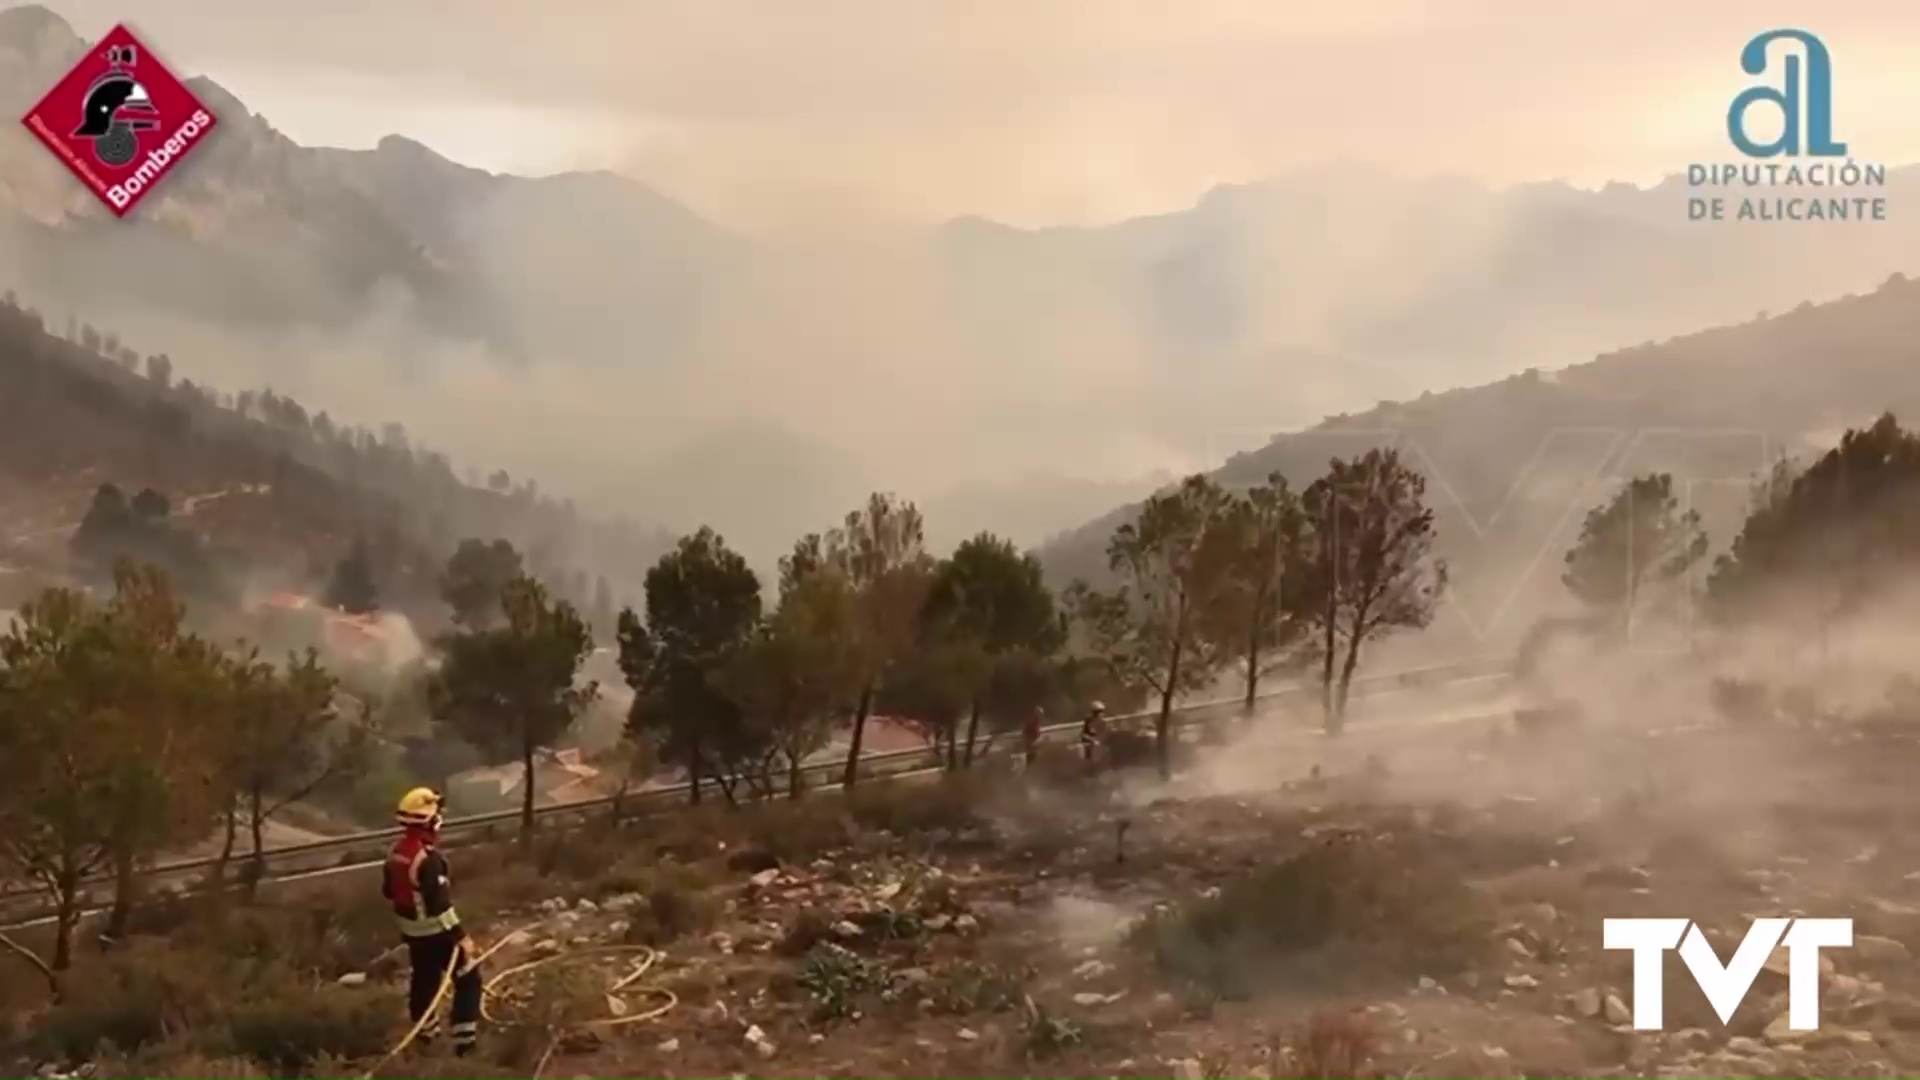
(1516, 464)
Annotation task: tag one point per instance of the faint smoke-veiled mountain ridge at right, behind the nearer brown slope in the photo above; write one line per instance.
(1416, 283)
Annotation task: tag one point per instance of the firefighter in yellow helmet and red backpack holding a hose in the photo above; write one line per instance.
(418, 887)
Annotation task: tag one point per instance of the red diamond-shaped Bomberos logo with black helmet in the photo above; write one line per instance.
(120, 120)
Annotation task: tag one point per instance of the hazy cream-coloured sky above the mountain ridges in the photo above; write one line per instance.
(1032, 112)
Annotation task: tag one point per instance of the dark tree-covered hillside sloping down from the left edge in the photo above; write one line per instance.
(272, 493)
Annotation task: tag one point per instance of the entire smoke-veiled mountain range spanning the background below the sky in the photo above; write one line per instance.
(1161, 339)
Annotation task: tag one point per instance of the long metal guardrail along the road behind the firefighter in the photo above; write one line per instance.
(911, 760)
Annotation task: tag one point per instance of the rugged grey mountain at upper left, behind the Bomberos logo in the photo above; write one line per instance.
(258, 230)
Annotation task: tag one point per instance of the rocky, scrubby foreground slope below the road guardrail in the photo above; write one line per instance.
(1399, 923)
